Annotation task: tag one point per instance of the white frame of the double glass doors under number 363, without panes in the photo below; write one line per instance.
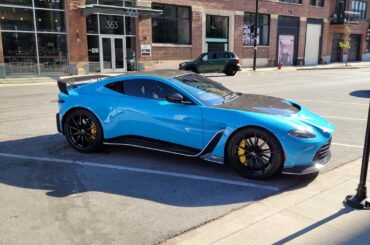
(113, 53)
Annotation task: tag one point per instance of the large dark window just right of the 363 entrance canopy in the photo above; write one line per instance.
(173, 26)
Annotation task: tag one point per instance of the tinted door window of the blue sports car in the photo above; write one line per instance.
(146, 88)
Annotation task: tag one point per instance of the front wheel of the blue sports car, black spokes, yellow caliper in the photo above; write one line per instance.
(255, 153)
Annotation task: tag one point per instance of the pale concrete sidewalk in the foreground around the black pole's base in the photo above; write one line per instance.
(314, 214)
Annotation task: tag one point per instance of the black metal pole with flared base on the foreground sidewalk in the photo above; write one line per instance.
(359, 200)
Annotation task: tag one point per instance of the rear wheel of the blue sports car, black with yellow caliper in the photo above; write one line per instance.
(83, 131)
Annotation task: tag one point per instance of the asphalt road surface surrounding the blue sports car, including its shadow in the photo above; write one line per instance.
(52, 194)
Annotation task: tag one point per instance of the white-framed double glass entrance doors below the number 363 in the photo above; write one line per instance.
(112, 55)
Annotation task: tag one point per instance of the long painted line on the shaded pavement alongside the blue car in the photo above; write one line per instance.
(141, 170)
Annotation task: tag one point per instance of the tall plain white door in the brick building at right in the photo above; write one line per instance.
(312, 44)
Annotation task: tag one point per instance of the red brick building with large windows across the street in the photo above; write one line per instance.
(82, 36)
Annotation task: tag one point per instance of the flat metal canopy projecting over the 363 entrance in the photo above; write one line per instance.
(142, 12)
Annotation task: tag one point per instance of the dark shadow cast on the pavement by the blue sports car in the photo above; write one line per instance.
(48, 163)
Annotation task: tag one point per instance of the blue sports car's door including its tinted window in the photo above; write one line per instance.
(144, 111)
